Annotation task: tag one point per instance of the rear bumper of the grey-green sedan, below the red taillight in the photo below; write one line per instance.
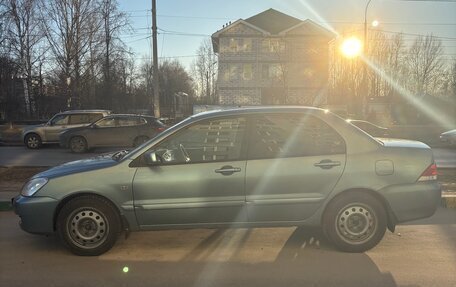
(413, 201)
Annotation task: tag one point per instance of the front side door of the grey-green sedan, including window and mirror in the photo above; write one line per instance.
(199, 179)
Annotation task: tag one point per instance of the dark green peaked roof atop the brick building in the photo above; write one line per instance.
(273, 21)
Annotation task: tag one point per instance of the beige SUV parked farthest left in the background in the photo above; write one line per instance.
(35, 136)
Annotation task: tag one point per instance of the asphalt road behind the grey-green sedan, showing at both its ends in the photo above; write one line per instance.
(52, 155)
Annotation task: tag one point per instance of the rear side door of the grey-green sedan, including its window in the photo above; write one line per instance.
(294, 162)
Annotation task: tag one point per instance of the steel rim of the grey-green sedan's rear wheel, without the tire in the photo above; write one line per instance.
(356, 223)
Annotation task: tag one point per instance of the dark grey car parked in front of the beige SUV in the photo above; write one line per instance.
(121, 130)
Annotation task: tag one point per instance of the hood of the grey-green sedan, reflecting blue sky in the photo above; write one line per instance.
(99, 162)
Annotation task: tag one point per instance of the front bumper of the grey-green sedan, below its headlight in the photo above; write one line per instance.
(36, 213)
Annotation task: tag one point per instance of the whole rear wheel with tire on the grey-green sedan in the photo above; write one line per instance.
(355, 222)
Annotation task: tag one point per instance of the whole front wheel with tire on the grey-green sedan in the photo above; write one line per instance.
(88, 225)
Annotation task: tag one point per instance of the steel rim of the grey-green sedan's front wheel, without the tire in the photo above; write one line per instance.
(87, 228)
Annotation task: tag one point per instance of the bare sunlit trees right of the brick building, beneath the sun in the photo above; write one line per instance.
(410, 77)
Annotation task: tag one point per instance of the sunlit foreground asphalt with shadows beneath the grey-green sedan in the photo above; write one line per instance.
(419, 254)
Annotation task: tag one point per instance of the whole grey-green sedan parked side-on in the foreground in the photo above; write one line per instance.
(275, 166)
